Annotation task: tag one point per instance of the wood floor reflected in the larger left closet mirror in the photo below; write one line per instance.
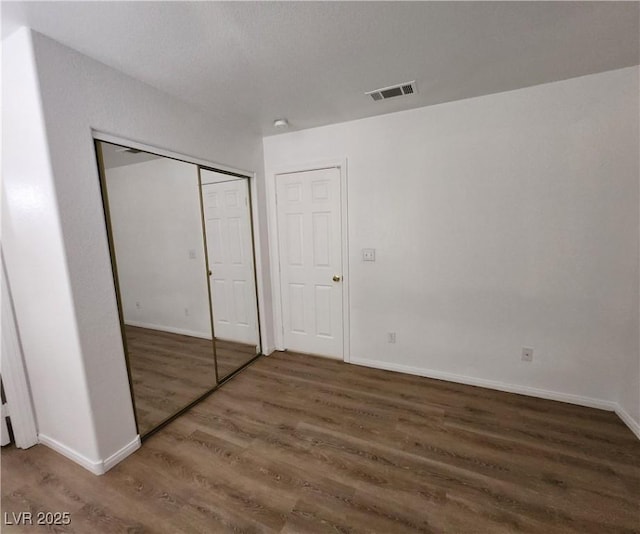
(168, 371)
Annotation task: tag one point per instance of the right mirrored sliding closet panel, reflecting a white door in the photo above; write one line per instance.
(229, 243)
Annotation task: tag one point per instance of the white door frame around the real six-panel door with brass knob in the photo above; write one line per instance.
(274, 246)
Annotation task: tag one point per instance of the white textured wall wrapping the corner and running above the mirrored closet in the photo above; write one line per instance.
(57, 254)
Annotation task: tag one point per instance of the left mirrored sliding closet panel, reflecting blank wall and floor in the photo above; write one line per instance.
(153, 212)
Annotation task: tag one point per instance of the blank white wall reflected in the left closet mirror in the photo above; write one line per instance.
(155, 215)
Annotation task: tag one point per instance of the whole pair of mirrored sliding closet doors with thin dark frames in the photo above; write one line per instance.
(181, 245)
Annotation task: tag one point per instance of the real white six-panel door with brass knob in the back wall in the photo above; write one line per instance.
(310, 256)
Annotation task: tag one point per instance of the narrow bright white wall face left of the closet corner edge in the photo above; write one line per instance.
(37, 271)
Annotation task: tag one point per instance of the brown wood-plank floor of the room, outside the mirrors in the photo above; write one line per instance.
(298, 444)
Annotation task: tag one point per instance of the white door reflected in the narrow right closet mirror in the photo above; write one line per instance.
(229, 251)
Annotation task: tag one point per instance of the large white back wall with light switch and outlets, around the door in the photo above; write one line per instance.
(499, 222)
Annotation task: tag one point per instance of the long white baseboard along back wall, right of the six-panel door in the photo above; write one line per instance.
(491, 384)
